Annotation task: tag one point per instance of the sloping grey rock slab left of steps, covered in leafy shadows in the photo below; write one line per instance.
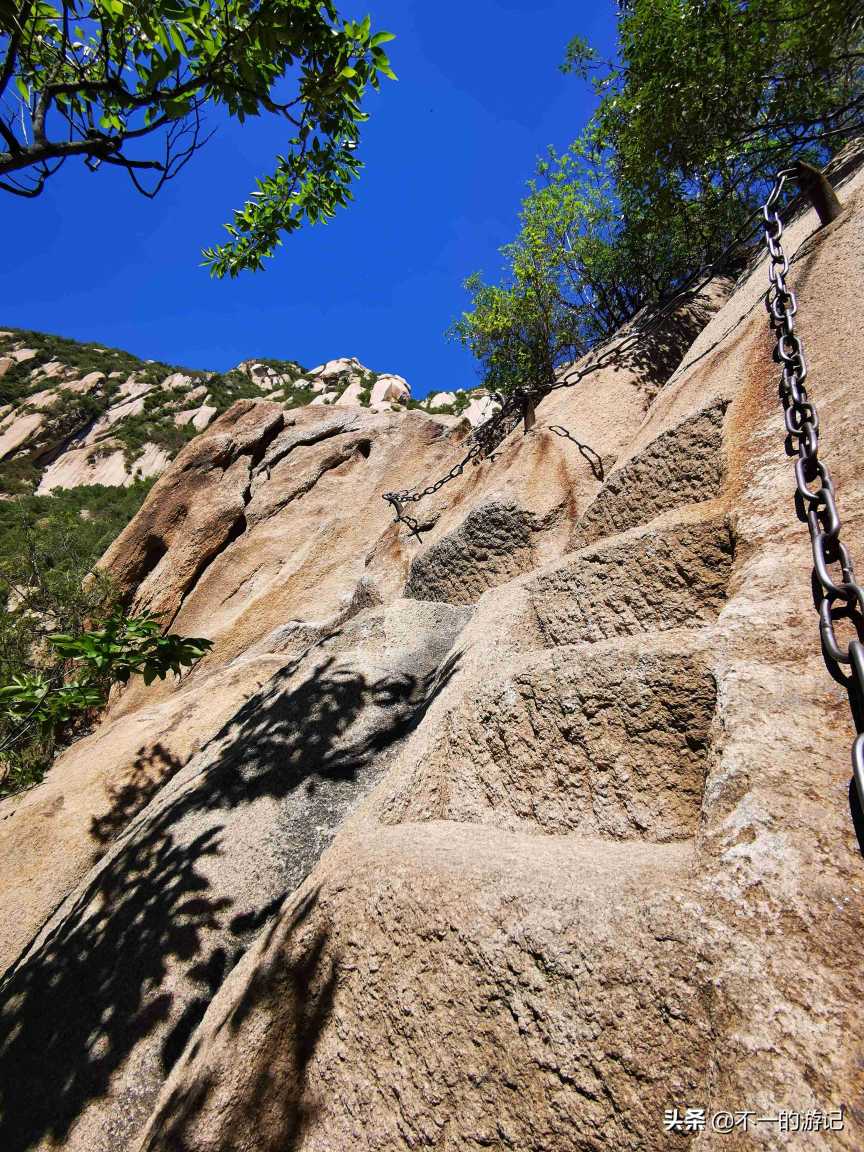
(94, 989)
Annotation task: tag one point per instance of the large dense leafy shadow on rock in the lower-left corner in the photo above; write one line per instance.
(75, 1007)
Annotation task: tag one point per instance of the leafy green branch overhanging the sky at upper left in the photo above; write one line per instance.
(127, 85)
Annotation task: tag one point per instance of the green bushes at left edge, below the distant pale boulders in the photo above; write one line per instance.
(65, 640)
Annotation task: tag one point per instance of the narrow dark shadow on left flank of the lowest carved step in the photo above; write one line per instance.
(276, 1103)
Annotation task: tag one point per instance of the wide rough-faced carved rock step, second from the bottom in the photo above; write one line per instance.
(607, 740)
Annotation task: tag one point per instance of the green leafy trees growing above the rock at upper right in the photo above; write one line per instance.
(704, 102)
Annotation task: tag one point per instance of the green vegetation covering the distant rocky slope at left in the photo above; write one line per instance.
(64, 639)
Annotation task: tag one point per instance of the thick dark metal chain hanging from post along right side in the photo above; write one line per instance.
(836, 597)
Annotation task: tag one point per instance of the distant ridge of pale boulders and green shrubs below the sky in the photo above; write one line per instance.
(102, 443)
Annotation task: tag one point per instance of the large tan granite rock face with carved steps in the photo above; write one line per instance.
(510, 837)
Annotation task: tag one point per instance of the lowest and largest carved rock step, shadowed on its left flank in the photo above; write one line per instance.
(502, 1014)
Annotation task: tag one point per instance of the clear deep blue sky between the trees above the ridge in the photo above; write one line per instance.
(448, 153)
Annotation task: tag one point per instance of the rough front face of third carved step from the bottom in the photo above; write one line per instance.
(660, 579)
